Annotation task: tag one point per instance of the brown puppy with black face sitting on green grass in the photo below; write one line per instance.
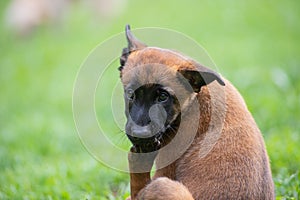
(194, 124)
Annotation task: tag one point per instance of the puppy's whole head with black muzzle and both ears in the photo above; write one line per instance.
(158, 86)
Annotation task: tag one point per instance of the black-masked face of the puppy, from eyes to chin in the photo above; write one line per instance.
(153, 116)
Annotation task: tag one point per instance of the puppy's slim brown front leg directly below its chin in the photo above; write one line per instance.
(140, 165)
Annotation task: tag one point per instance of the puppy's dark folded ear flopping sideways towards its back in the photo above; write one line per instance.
(200, 77)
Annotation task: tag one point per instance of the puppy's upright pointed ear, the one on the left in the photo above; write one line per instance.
(133, 45)
